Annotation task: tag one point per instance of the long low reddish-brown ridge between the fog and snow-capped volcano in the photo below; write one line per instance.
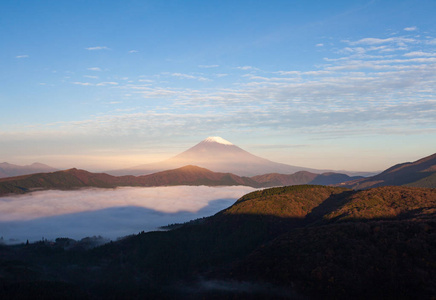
(187, 175)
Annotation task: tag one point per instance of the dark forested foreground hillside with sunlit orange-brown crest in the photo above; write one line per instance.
(298, 242)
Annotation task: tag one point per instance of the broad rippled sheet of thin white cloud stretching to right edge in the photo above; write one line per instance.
(352, 91)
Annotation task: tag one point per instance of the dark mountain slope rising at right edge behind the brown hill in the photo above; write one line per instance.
(421, 173)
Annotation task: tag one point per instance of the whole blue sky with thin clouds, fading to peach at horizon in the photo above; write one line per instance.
(322, 84)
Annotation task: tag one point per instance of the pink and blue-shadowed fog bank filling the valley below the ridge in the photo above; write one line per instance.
(110, 213)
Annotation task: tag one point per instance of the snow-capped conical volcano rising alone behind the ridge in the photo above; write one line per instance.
(218, 155)
